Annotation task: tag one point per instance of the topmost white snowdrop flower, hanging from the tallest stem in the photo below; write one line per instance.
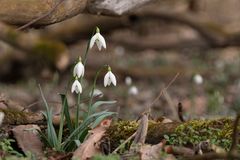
(99, 39)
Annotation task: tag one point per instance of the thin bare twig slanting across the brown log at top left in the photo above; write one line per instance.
(41, 17)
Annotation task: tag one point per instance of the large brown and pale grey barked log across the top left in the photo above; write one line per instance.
(20, 12)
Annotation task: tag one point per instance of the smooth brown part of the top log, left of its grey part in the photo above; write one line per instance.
(19, 12)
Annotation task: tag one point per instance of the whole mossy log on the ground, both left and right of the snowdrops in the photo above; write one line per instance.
(217, 131)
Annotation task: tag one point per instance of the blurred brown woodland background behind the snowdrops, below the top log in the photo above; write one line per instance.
(146, 48)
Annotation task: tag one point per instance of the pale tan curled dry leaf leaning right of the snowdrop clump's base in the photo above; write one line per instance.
(90, 147)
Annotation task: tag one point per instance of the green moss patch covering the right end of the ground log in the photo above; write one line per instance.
(218, 131)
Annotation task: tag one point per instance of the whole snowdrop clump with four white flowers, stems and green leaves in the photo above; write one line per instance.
(78, 130)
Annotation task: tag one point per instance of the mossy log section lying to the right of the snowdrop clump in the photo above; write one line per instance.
(217, 131)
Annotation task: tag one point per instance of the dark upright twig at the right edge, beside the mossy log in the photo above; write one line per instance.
(235, 136)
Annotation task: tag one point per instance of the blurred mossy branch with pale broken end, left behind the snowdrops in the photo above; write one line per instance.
(31, 43)
